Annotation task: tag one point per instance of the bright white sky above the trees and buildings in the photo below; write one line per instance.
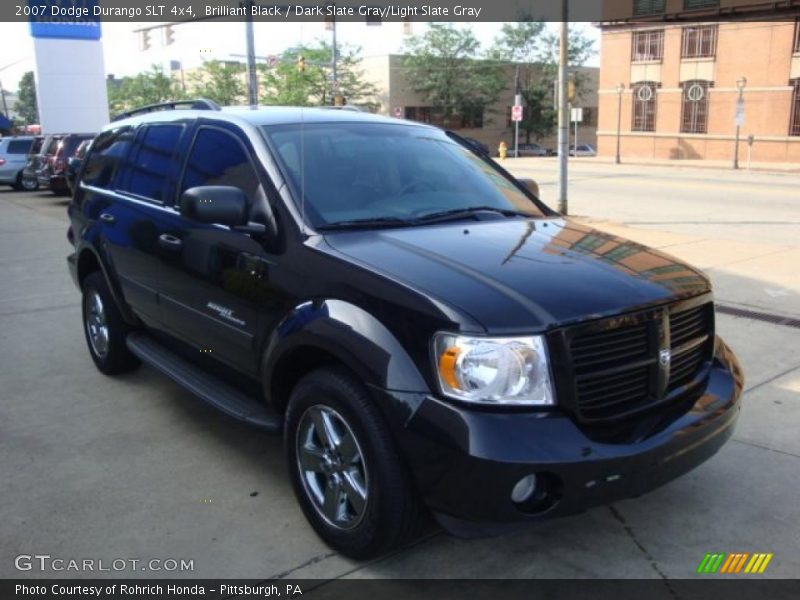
(195, 42)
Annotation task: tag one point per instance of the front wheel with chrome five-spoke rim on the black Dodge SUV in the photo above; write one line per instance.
(350, 481)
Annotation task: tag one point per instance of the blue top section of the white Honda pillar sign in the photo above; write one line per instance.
(65, 19)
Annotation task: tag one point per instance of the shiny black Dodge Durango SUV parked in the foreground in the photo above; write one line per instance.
(422, 328)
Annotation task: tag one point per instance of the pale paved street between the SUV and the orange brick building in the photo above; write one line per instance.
(742, 206)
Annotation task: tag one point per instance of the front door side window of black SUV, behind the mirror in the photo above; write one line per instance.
(218, 158)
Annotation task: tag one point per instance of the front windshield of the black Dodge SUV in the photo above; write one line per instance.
(394, 173)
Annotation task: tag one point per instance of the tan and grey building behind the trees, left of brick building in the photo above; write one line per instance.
(396, 97)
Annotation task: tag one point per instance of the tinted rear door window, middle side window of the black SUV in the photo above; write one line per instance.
(151, 161)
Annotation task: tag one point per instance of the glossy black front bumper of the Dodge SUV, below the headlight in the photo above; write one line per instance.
(466, 462)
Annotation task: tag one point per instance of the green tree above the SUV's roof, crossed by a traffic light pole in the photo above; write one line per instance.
(285, 84)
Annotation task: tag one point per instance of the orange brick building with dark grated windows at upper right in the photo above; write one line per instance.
(676, 88)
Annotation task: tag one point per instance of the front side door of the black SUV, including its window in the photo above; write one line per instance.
(217, 280)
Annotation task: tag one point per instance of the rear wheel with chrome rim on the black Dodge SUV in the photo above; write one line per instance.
(104, 328)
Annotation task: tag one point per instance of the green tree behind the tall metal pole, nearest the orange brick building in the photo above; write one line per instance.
(535, 48)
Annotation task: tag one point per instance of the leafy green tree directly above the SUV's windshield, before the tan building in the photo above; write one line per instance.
(444, 65)
